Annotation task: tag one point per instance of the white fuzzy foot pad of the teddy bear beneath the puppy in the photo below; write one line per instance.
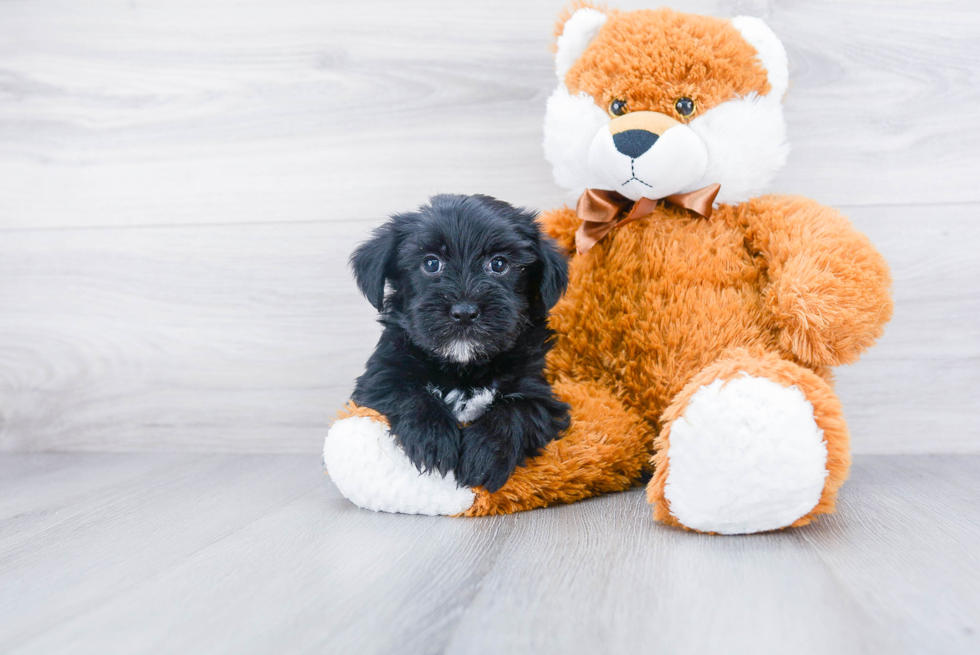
(372, 471)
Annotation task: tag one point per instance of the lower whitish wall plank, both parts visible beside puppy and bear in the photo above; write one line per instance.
(248, 338)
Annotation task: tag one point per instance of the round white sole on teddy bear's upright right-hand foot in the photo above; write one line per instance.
(746, 456)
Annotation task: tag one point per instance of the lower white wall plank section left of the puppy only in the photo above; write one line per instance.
(122, 339)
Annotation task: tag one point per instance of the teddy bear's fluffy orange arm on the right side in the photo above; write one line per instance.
(828, 289)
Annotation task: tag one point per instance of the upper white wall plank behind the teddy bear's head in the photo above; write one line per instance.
(118, 113)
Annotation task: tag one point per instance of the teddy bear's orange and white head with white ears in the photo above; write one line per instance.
(652, 103)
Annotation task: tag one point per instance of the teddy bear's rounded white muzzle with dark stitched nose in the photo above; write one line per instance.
(646, 154)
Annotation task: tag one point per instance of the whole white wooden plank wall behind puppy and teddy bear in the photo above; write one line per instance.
(181, 184)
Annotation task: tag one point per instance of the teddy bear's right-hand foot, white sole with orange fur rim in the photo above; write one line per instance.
(752, 443)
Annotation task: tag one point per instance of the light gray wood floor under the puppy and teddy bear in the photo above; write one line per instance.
(214, 553)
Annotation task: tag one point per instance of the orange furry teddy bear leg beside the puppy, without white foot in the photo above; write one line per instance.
(606, 448)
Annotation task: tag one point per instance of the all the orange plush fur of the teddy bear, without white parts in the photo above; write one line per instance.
(776, 287)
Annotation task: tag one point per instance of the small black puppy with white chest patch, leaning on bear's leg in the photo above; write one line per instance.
(458, 371)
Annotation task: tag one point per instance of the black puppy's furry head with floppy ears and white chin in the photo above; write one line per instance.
(468, 274)
